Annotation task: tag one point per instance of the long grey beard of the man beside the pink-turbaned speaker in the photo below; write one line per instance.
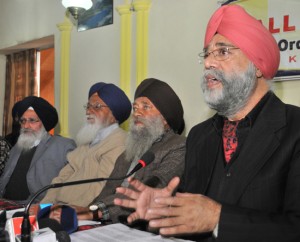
(140, 139)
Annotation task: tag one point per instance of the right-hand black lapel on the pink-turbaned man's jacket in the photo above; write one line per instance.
(261, 143)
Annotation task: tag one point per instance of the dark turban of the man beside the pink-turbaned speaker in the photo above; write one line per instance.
(165, 100)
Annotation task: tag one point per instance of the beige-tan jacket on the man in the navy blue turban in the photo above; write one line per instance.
(86, 163)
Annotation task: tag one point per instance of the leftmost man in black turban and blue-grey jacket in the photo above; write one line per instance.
(37, 156)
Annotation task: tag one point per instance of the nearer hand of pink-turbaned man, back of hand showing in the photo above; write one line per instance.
(184, 214)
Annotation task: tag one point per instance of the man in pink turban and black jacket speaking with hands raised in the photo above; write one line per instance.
(242, 170)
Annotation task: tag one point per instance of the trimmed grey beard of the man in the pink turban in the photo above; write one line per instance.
(237, 88)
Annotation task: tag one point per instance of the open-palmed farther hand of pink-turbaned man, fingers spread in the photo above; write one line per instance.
(143, 197)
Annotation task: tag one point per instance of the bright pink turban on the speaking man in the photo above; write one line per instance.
(247, 33)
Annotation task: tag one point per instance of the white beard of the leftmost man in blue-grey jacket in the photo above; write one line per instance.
(28, 137)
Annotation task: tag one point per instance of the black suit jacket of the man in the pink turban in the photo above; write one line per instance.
(261, 201)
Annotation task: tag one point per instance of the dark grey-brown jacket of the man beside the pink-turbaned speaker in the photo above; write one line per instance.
(169, 162)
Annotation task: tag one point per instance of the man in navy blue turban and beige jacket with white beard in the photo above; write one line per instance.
(100, 141)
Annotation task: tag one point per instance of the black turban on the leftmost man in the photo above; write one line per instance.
(44, 110)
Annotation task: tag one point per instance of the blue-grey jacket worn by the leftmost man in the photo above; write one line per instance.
(49, 158)
